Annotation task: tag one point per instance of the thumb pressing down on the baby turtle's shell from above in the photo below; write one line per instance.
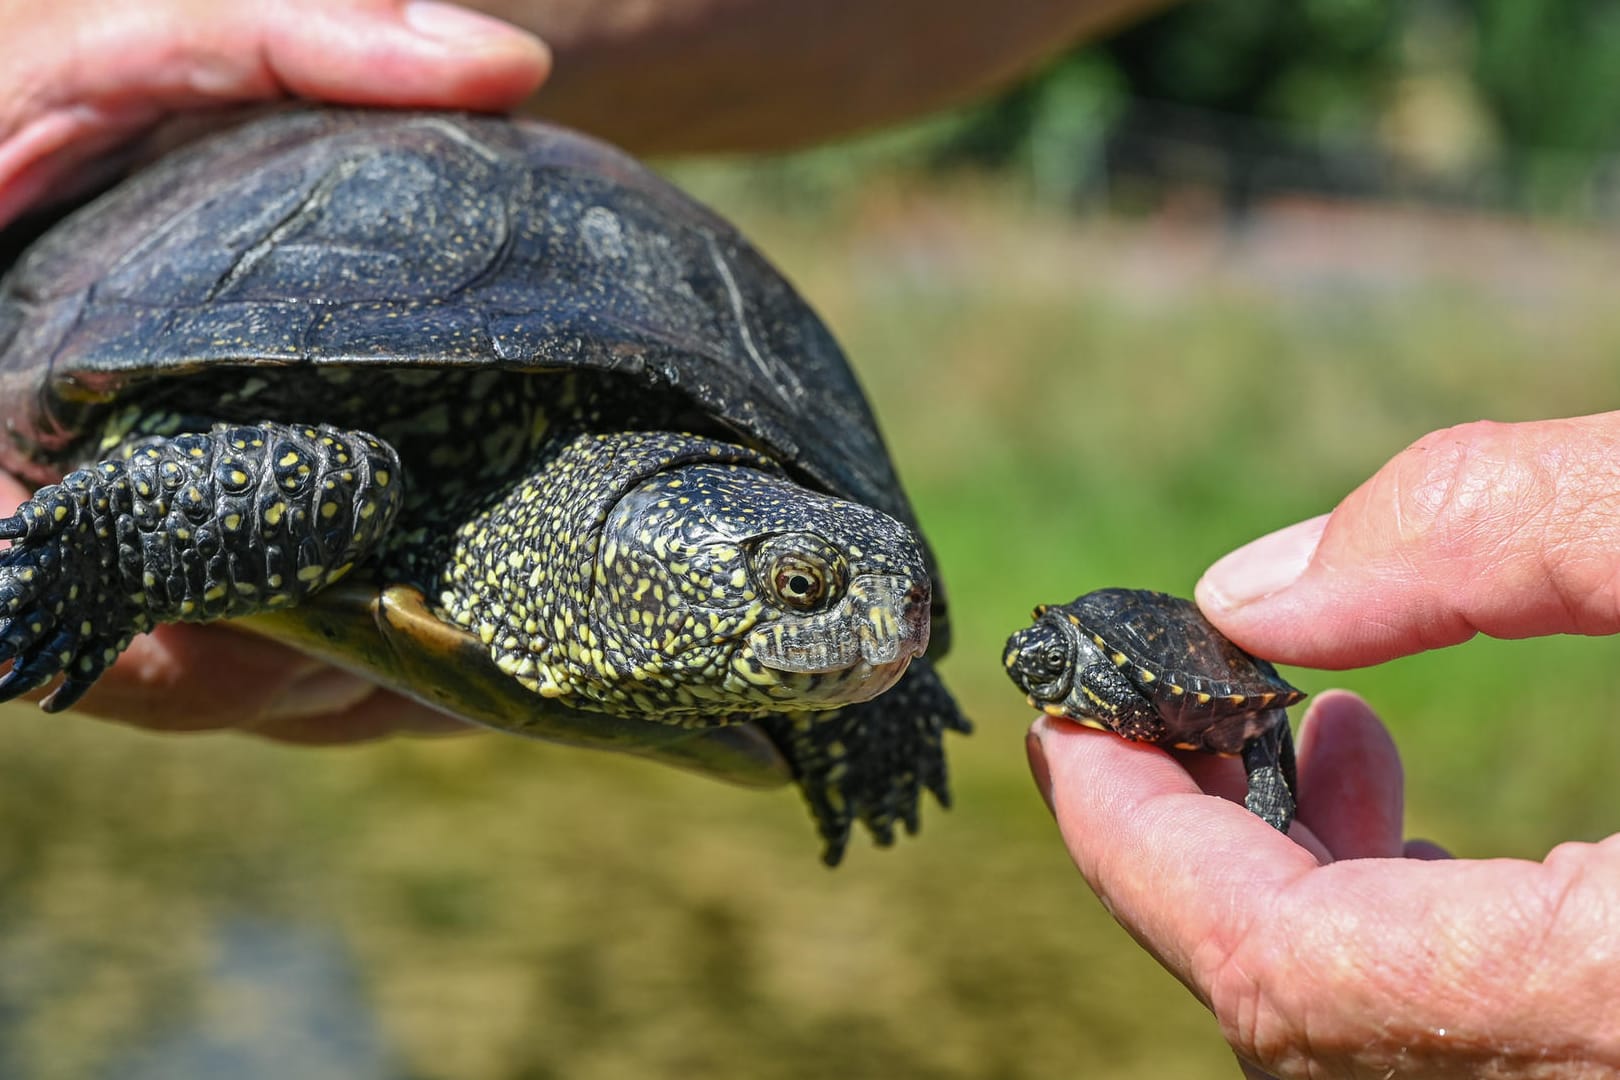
(1509, 530)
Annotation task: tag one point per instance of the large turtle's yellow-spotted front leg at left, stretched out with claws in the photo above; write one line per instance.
(187, 529)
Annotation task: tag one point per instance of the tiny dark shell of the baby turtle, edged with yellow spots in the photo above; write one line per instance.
(1172, 653)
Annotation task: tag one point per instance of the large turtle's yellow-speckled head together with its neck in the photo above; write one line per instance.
(676, 577)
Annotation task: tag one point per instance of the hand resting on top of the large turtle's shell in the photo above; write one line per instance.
(80, 79)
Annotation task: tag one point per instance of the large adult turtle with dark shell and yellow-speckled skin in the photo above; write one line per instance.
(492, 414)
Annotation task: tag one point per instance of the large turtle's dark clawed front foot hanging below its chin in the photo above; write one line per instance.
(871, 762)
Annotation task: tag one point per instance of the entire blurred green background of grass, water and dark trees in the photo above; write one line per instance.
(1096, 367)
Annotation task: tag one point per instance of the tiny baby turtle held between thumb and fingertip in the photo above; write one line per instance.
(1151, 668)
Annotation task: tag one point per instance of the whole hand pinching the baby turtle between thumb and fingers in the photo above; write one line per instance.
(1329, 953)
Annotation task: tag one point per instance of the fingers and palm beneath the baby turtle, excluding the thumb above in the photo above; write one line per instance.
(1344, 950)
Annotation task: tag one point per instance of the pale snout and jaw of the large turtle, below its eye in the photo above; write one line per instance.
(853, 652)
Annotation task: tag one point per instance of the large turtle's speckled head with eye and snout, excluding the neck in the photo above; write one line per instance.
(728, 585)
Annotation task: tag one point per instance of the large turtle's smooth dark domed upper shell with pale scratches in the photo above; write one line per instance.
(404, 239)
